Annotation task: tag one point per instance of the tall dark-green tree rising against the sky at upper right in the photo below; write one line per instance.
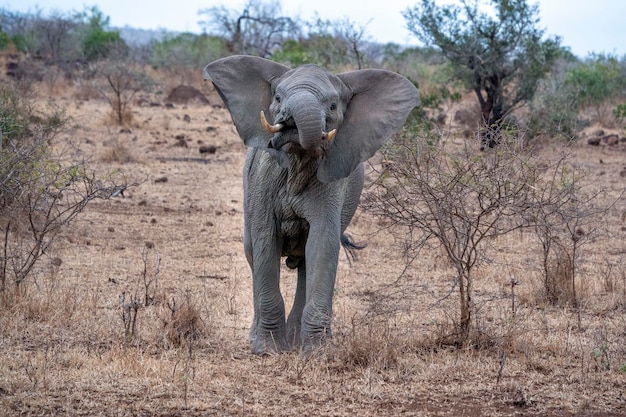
(500, 54)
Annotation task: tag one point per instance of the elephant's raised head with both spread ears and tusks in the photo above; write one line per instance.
(341, 119)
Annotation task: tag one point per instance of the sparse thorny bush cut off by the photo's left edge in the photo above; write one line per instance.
(41, 189)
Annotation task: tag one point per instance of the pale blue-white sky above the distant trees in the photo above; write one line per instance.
(596, 26)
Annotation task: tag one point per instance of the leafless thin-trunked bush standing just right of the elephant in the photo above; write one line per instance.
(464, 199)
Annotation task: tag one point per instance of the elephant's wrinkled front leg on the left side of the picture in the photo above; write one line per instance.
(268, 331)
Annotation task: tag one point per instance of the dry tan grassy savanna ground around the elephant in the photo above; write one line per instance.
(174, 242)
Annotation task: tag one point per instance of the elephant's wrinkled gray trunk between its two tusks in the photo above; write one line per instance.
(309, 118)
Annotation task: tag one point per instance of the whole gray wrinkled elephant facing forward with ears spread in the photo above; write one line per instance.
(301, 190)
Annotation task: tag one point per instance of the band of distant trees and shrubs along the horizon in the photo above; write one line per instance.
(502, 58)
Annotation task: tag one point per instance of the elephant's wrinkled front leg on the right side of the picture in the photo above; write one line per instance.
(322, 255)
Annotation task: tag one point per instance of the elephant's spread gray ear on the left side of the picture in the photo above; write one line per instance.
(245, 83)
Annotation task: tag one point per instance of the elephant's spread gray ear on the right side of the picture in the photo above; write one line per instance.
(381, 101)
